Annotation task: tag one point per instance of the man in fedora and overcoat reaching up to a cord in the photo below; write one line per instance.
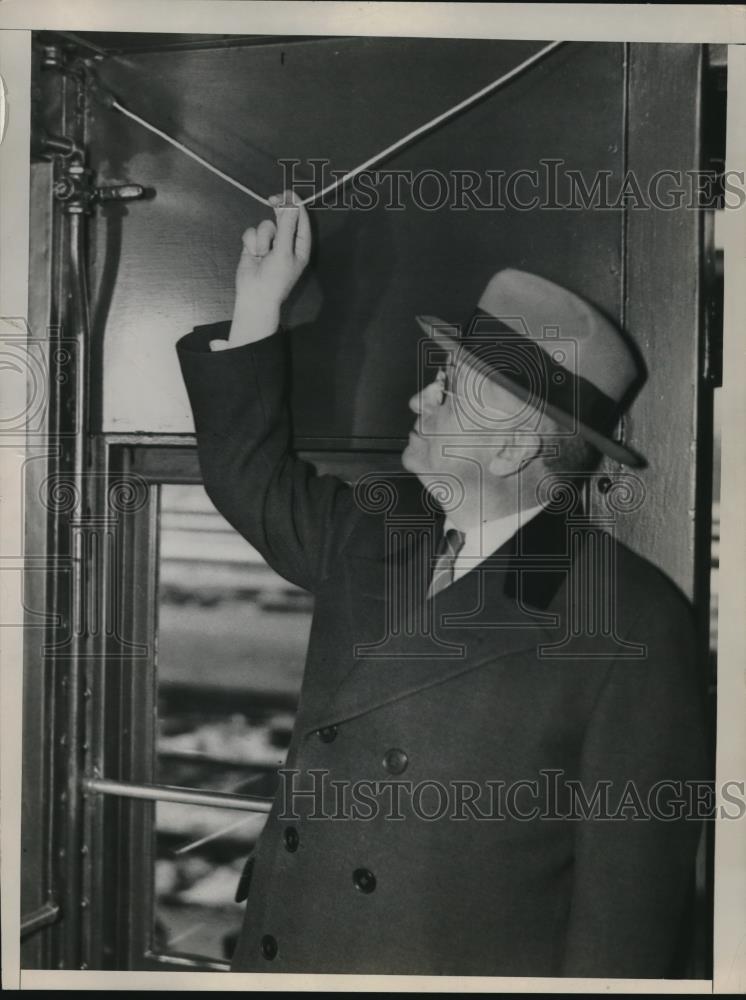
(485, 664)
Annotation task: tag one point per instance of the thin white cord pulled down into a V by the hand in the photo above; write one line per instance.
(377, 158)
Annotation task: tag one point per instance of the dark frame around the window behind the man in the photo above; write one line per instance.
(120, 696)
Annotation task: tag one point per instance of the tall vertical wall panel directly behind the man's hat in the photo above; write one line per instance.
(662, 307)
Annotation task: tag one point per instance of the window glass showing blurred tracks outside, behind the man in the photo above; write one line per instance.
(232, 637)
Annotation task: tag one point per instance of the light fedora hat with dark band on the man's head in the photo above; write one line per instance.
(552, 350)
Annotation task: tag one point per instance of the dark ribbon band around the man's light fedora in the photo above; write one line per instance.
(540, 370)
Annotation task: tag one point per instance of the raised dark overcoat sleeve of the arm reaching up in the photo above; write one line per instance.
(291, 515)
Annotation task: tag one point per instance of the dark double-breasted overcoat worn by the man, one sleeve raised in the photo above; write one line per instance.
(482, 772)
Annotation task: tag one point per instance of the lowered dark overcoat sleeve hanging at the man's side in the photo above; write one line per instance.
(633, 873)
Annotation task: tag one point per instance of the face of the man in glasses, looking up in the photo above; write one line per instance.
(461, 422)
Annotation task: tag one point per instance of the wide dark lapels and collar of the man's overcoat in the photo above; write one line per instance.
(404, 643)
